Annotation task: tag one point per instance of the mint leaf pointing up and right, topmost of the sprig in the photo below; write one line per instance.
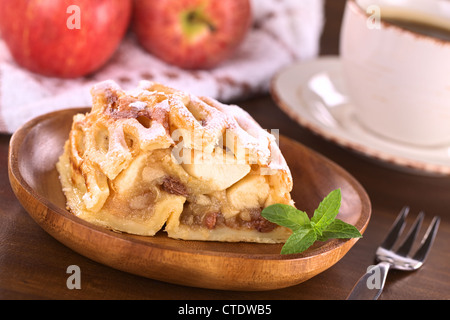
(327, 211)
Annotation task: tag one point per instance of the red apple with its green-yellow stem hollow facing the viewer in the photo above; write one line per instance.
(191, 34)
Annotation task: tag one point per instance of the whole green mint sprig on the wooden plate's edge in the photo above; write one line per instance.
(322, 226)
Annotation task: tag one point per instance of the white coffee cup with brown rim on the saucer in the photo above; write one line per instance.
(398, 80)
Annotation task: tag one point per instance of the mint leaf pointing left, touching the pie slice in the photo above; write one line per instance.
(286, 216)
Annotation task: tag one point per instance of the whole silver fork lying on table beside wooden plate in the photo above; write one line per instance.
(370, 286)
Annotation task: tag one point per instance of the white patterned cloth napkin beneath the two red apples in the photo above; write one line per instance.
(283, 31)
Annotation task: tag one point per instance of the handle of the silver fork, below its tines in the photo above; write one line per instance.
(371, 284)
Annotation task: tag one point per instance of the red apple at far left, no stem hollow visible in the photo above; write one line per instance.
(63, 38)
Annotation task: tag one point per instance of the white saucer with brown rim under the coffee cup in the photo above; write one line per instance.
(313, 93)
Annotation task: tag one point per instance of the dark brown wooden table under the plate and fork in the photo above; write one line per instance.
(33, 265)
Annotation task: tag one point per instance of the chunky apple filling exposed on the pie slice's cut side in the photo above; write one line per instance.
(206, 204)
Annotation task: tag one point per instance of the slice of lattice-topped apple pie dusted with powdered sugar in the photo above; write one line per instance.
(156, 156)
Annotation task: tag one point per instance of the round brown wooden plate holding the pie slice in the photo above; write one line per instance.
(35, 148)
